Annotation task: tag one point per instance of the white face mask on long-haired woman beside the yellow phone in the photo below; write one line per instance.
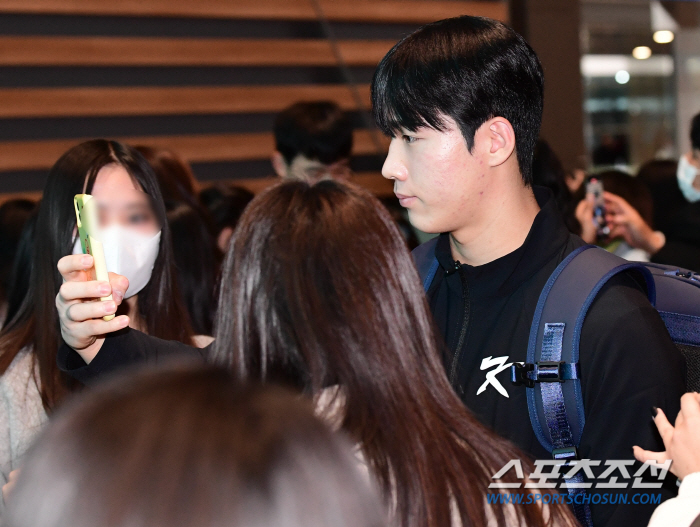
(128, 253)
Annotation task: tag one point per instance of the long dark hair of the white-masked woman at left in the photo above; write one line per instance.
(36, 323)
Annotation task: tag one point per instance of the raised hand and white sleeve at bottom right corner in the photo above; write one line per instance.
(682, 446)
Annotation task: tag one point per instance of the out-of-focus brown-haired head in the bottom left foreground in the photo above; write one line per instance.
(190, 447)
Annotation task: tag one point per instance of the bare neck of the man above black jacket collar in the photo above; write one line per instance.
(507, 211)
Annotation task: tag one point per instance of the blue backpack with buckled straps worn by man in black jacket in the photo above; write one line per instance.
(552, 373)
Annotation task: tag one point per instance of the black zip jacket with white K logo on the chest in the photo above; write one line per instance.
(628, 361)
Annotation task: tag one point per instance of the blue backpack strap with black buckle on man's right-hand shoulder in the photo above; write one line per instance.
(552, 371)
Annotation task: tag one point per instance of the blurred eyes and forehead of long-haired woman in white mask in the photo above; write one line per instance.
(123, 202)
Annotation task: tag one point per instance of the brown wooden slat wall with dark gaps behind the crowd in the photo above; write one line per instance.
(56, 81)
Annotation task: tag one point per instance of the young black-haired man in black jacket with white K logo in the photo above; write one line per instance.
(462, 101)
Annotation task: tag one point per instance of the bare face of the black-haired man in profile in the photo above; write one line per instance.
(436, 178)
